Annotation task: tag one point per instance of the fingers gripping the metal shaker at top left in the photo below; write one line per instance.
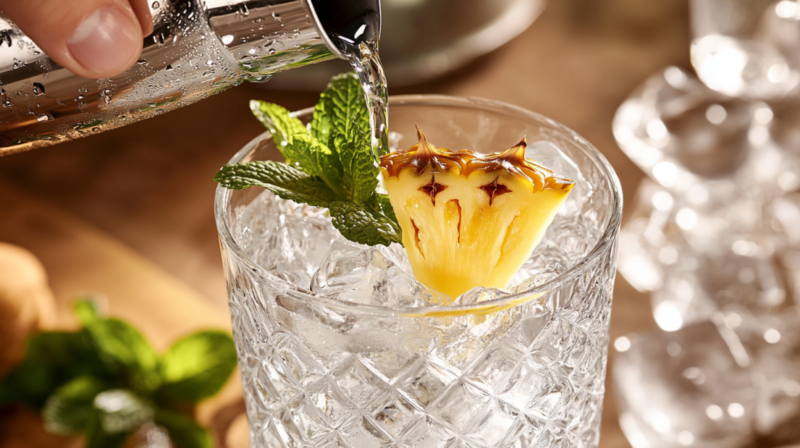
(92, 38)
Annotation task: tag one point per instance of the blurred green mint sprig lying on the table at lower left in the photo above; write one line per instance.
(105, 380)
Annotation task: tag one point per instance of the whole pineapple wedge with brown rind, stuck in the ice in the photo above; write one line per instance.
(470, 219)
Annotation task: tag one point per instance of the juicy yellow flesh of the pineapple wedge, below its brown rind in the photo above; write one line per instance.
(458, 240)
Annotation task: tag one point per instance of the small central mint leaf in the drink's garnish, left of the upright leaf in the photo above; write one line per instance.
(316, 159)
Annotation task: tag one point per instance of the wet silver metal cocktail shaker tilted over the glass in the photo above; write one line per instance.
(197, 48)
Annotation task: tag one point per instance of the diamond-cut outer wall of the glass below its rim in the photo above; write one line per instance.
(537, 383)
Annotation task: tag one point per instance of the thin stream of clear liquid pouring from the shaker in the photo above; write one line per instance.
(367, 63)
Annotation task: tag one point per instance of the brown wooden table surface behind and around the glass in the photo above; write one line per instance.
(128, 213)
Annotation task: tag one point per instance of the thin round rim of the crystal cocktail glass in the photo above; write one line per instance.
(223, 195)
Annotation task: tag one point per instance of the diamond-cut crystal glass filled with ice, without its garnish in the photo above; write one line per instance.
(339, 345)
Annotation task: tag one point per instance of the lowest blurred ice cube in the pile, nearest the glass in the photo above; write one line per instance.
(683, 388)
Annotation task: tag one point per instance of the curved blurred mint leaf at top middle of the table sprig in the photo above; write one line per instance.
(121, 343)
